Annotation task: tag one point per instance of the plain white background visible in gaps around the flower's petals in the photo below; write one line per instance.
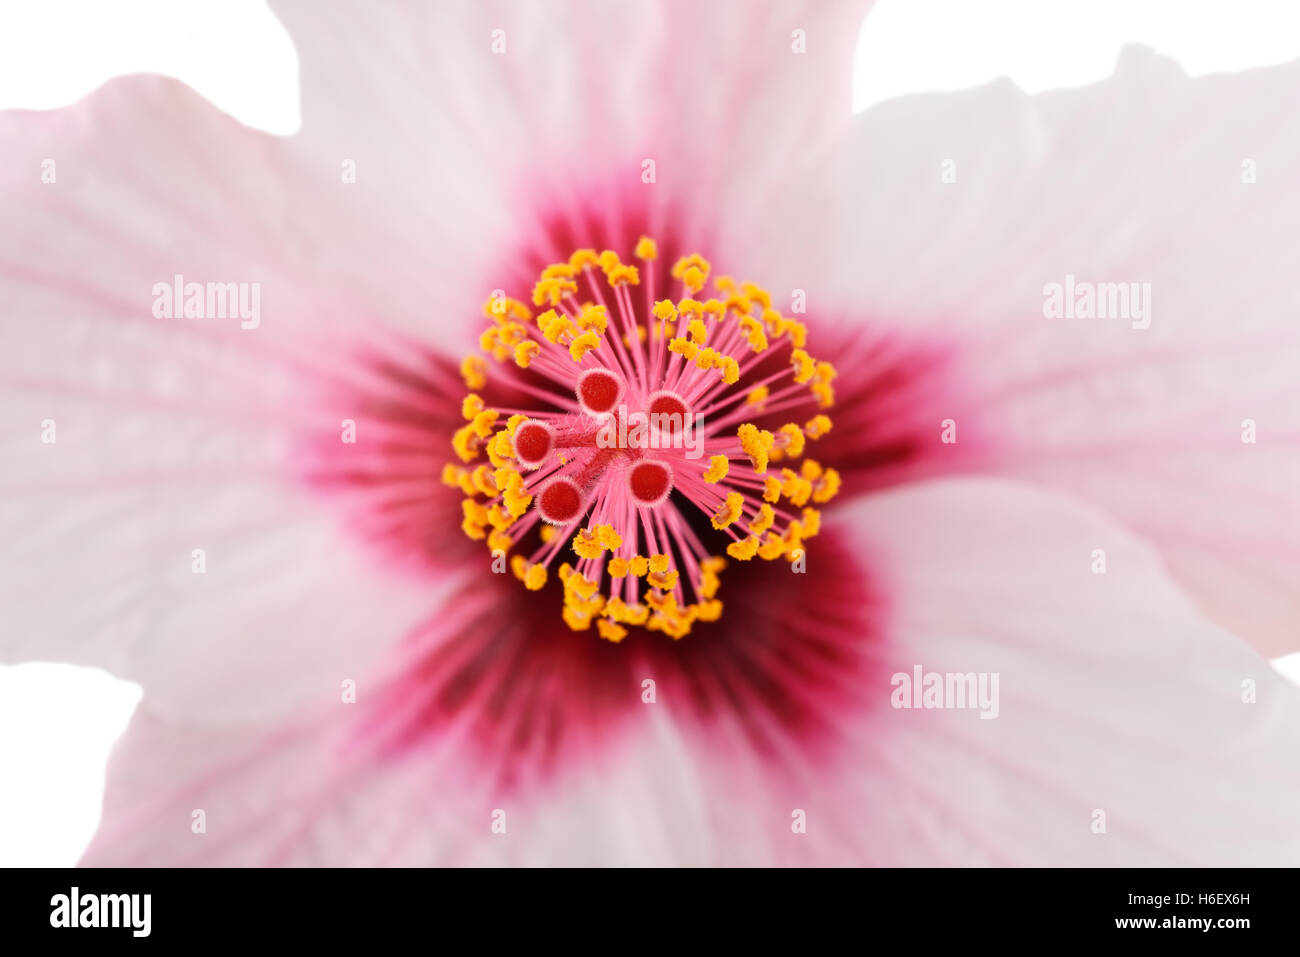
(58, 722)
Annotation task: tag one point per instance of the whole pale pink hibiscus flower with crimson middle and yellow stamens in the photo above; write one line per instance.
(392, 597)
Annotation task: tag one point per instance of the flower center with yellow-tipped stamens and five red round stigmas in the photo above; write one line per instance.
(626, 439)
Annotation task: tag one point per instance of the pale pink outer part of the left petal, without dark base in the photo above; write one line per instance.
(183, 435)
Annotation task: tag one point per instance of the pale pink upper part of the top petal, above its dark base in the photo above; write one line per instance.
(544, 99)
